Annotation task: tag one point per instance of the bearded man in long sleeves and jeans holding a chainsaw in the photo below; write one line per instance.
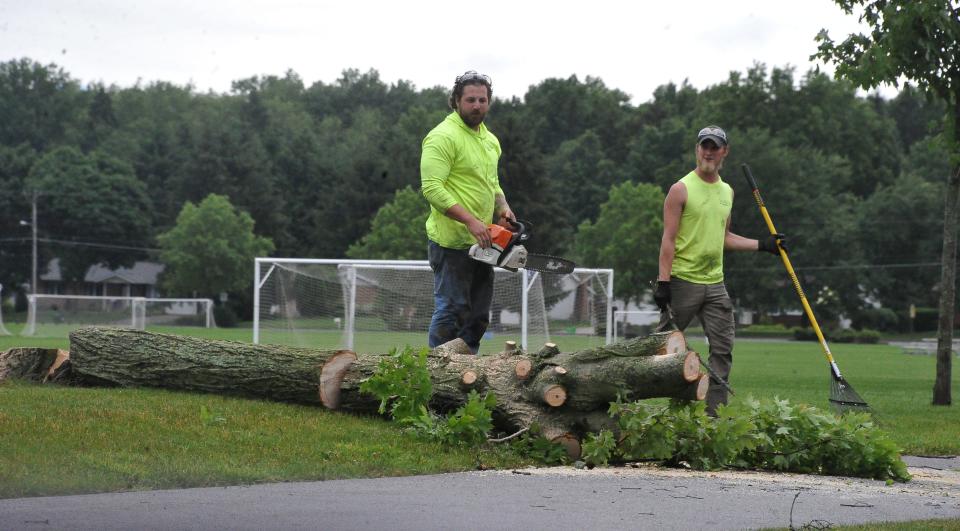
(458, 177)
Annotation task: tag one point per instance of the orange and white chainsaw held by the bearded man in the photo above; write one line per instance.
(506, 251)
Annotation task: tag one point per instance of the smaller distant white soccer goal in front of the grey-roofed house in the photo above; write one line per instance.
(58, 315)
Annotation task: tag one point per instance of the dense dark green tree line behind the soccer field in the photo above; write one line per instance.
(332, 170)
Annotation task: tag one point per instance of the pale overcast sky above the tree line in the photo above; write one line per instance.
(632, 46)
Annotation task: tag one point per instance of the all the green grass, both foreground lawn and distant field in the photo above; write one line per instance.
(57, 440)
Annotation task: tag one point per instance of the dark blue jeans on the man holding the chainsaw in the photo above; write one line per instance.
(462, 293)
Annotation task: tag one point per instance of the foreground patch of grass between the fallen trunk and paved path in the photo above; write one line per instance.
(73, 440)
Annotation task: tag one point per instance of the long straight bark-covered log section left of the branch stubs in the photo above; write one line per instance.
(132, 358)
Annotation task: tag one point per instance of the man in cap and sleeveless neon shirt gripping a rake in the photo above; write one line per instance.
(696, 232)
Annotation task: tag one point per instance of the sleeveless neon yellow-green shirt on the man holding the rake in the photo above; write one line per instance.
(703, 227)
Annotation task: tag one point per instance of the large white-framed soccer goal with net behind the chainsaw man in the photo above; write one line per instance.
(375, 305)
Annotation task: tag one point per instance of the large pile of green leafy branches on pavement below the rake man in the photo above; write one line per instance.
(769, 434)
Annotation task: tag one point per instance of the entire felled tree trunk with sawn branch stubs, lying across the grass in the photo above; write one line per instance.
(567, 394)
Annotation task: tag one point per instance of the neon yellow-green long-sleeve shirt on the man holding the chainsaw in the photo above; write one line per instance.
(458, 166)
